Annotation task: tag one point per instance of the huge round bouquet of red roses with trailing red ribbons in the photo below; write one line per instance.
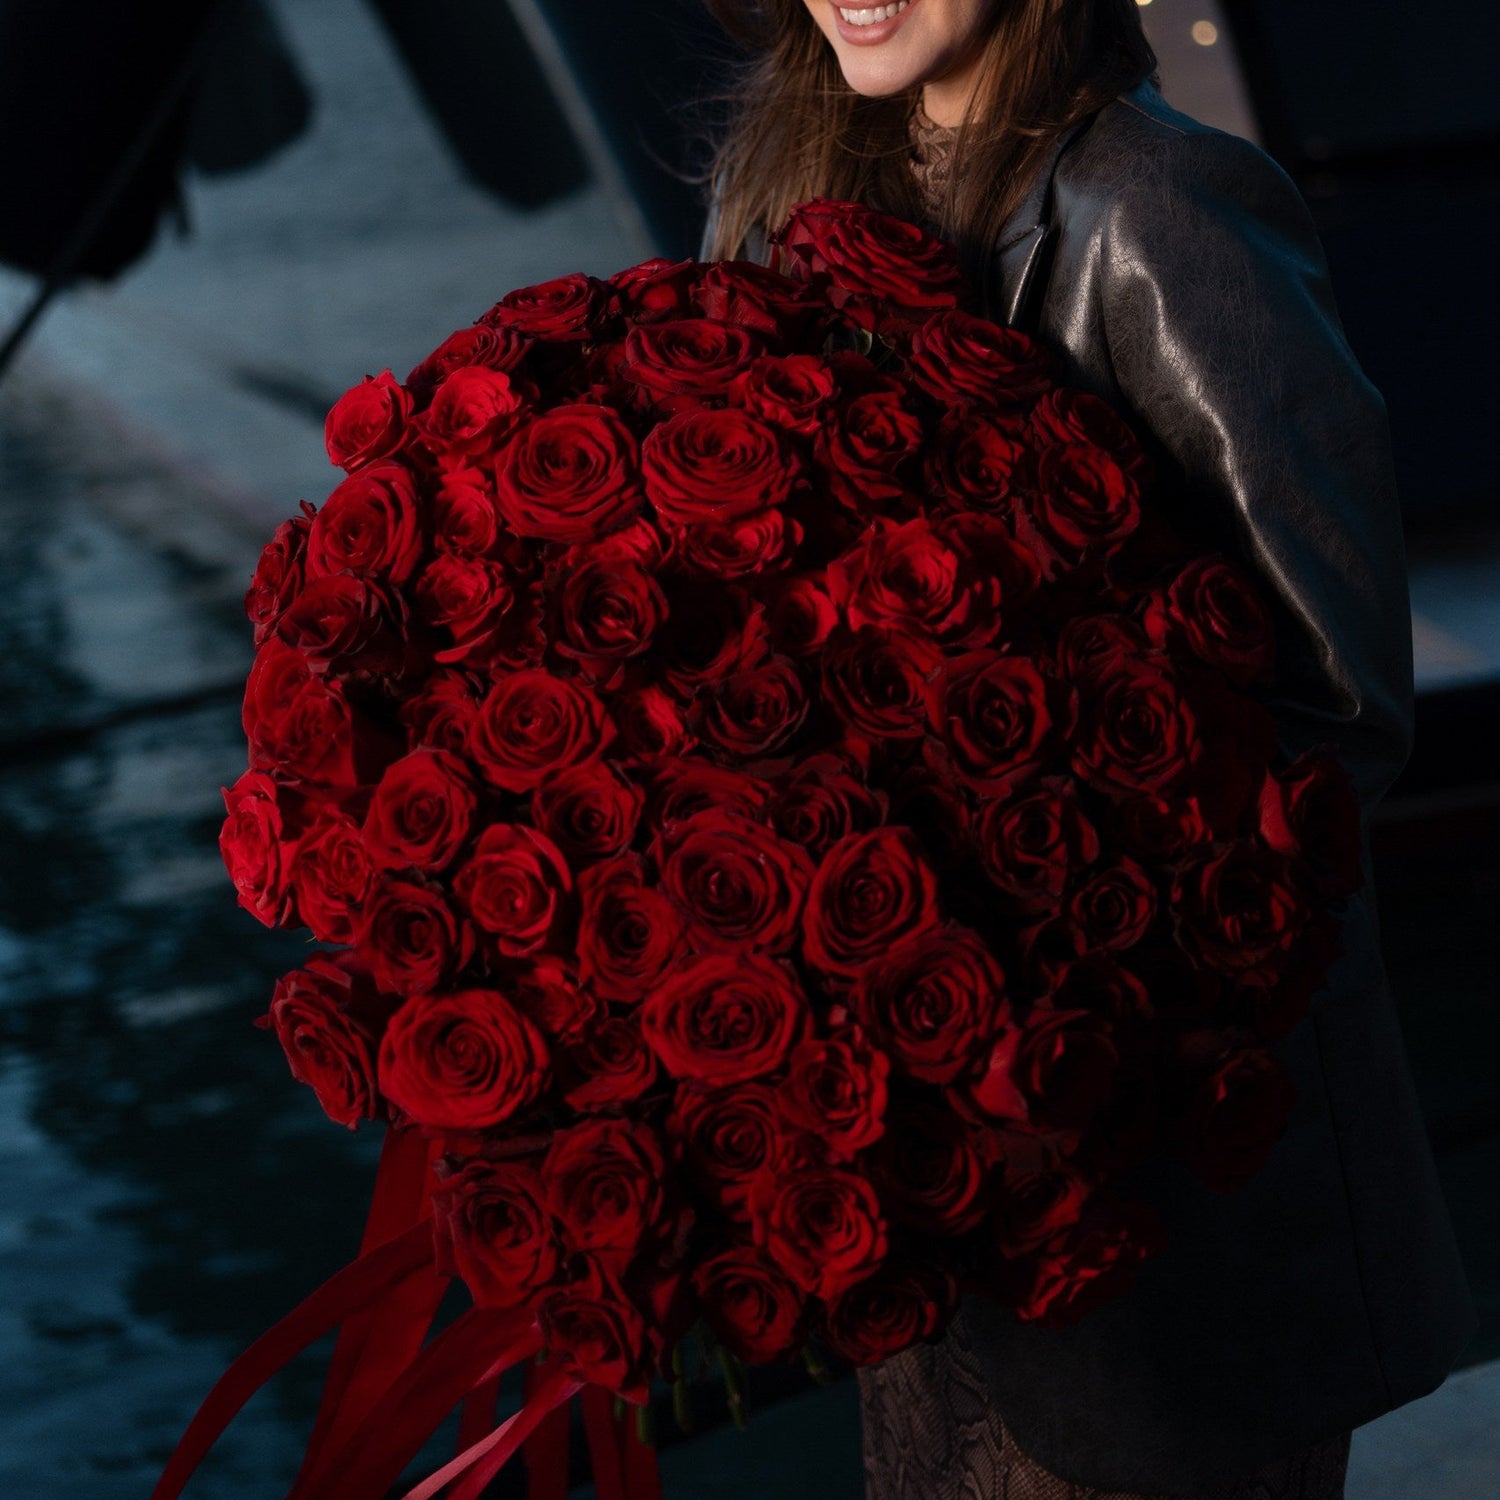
(791, 818)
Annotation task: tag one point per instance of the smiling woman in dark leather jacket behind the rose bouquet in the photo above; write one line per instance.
(1178, 272)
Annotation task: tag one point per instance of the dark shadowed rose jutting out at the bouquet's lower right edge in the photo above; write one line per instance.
(1237, 1103)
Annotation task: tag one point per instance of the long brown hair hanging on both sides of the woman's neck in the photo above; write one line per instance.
(799, 131)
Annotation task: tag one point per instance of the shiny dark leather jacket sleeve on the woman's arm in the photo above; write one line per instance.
(1225, 338)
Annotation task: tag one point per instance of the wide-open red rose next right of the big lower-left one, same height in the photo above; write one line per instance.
(725, 1018)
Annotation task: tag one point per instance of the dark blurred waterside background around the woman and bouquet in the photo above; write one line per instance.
(215, 218)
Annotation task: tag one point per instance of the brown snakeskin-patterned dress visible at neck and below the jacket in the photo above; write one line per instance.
(929, 1427)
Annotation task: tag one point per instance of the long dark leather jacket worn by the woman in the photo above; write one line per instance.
(1178, 272)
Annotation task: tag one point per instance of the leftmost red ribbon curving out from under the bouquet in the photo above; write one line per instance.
(341, 1297)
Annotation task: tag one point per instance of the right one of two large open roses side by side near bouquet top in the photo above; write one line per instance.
(716, 466)
